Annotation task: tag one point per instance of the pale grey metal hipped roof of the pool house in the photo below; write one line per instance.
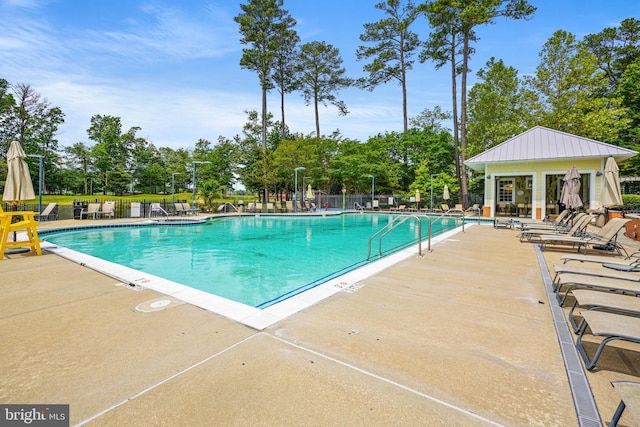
(540, 143)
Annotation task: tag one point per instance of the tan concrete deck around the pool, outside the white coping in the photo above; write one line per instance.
(461, 336)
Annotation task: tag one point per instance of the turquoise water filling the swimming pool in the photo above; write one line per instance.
(254, 260)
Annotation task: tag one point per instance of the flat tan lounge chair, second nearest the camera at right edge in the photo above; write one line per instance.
(611, 326)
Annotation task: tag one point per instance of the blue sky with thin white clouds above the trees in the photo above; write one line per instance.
(172, 67)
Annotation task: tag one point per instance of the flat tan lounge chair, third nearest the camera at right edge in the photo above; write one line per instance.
(604, 301)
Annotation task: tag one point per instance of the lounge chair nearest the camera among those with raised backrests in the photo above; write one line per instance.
(605, 239)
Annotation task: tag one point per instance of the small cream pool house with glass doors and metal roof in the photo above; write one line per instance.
(523, 175)
